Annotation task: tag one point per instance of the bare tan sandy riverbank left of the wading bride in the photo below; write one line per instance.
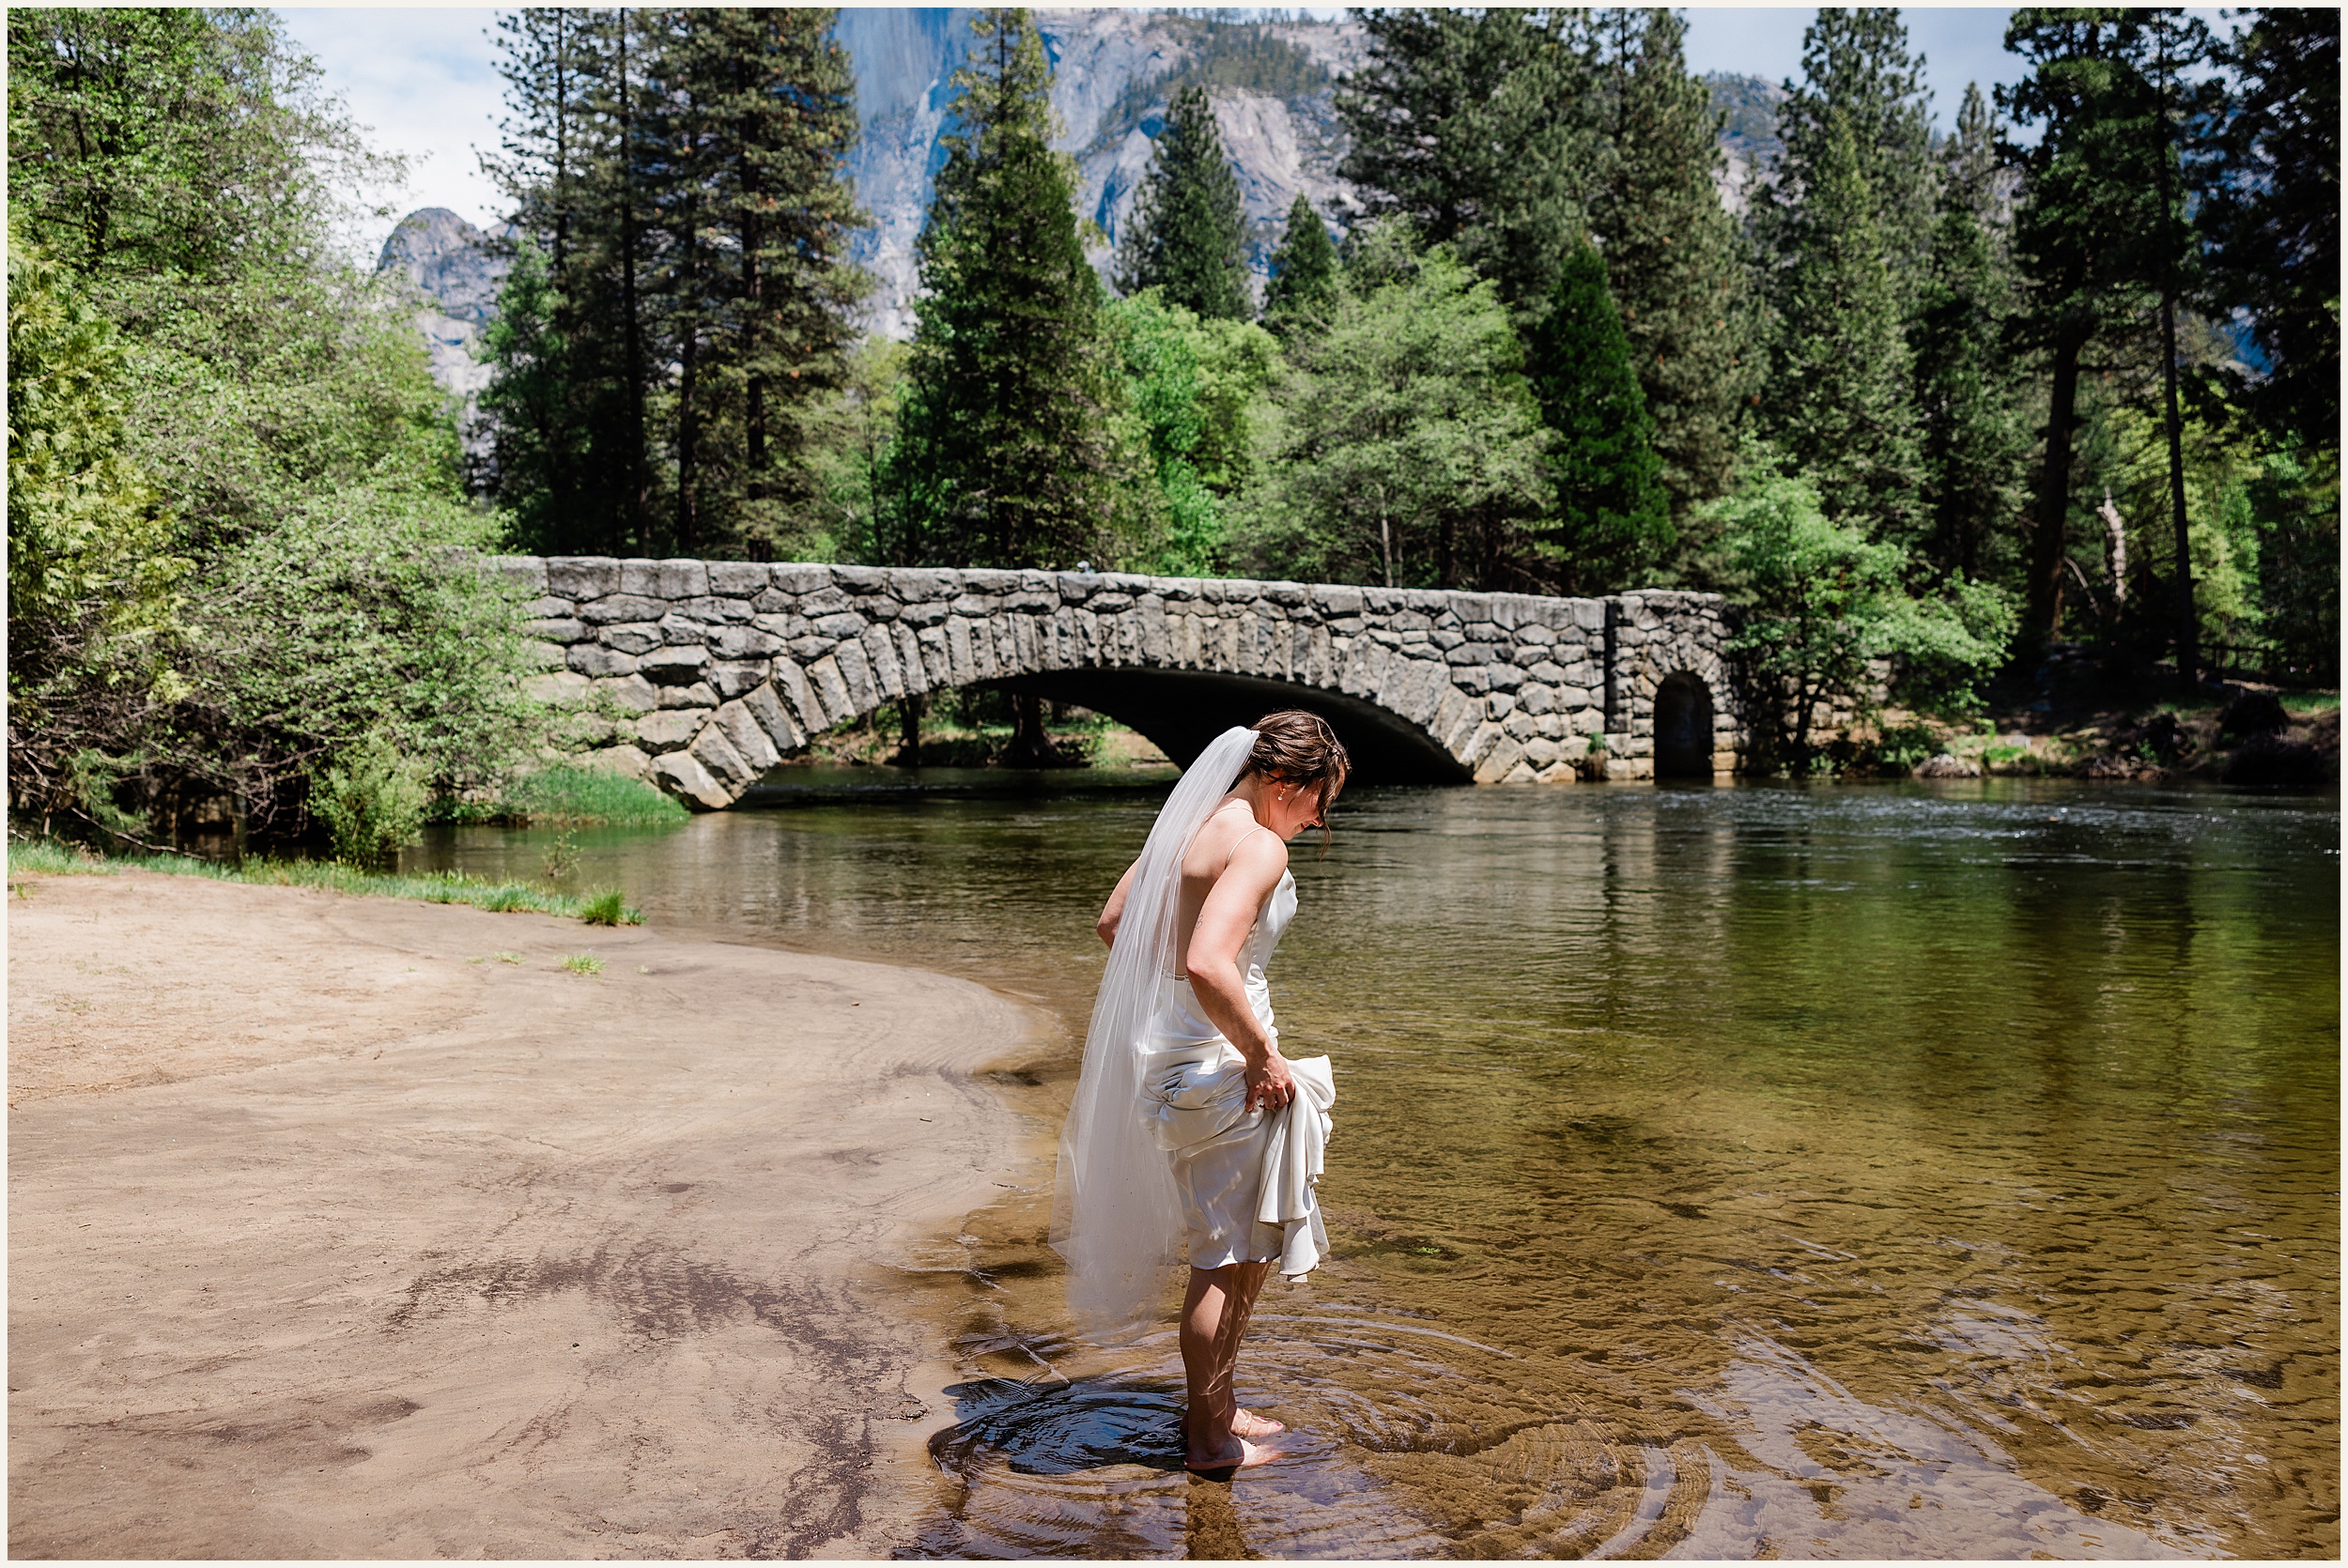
(335, 1234)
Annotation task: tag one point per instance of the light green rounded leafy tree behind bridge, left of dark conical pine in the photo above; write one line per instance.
(1405, 445)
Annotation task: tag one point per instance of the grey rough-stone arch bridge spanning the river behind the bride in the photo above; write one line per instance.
(731, 665)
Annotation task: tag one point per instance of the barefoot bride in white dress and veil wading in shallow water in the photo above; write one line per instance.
(1192, 1137)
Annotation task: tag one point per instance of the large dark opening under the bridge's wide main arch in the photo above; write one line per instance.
(1185, 710)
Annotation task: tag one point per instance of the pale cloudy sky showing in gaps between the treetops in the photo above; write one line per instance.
(424, 79)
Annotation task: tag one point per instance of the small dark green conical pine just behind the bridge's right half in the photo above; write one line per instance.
(1614, 513)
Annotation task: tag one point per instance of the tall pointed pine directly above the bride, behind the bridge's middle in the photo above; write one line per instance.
(1006, 447)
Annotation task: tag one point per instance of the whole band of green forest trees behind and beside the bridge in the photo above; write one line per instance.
(2065, 374)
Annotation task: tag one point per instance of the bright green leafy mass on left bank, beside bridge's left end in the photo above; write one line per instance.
(281, 410)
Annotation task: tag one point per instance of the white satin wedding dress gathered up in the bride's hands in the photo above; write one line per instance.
(1241, 1198)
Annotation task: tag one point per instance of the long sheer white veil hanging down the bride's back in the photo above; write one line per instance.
(1116, 1215)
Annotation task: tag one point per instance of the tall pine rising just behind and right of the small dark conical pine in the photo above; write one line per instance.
(1673, 255)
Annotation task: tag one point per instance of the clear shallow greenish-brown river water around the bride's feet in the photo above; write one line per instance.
(1917, 1170)
